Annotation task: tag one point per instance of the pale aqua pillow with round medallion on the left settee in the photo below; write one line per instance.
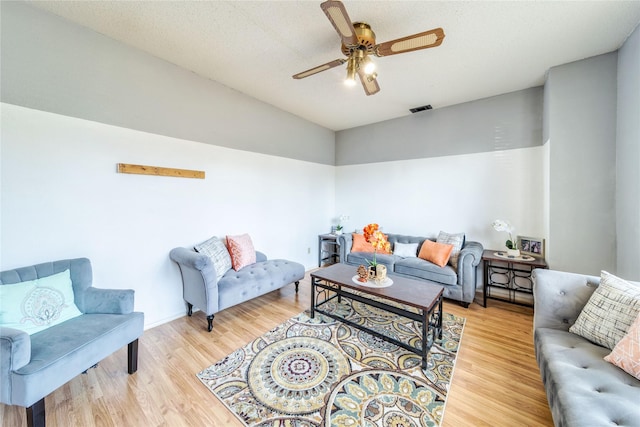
(35, 305)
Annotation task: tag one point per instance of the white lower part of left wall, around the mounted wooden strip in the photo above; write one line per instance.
(62, 198)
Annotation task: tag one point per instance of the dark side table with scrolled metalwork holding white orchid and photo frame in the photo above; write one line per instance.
(510, 278)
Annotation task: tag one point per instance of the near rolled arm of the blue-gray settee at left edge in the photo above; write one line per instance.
(15, 352)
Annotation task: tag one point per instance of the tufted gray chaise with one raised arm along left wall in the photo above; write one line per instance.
(202, 289)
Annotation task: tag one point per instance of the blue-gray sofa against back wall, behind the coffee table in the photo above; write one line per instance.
(459, 285)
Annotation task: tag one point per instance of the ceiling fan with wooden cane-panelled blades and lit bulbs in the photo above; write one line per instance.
(359, 42)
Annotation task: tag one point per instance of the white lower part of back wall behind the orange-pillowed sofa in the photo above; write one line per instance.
(463, 193)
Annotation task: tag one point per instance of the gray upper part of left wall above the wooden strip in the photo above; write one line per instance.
(53, 65)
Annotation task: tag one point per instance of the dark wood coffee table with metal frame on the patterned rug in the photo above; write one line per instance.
(336, 282)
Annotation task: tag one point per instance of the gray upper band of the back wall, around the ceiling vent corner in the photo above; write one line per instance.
(512, 120)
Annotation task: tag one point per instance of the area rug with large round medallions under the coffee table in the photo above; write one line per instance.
(321, 372)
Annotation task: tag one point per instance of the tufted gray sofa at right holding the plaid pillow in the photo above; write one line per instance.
(582, 388)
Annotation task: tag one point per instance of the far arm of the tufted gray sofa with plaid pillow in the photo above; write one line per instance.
(559, 297)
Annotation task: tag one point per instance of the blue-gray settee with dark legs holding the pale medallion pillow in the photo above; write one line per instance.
(32, 366)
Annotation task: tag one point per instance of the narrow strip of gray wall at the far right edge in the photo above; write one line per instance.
(628, 159)
